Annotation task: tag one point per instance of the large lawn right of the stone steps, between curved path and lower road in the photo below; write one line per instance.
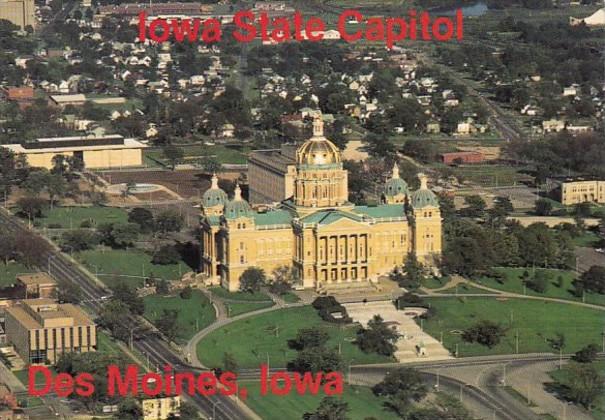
(534, 321)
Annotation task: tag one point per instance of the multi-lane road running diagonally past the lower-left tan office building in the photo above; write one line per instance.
(152, 346)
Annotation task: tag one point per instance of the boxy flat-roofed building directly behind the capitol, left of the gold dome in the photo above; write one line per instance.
(271, 174)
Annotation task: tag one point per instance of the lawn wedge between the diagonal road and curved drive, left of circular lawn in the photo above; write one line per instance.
(195, 314)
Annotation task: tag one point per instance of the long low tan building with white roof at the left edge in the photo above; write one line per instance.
(111, 151)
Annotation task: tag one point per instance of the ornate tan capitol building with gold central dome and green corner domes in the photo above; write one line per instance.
(325, 238)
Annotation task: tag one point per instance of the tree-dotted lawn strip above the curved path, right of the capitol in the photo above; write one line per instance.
(513, 283)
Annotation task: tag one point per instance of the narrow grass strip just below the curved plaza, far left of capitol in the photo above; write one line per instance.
(72, 217)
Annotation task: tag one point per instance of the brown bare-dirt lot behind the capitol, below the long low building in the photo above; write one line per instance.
(186, 183)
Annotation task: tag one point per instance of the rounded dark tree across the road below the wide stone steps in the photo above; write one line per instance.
(401, 386)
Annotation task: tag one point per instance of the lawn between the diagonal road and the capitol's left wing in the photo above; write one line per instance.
(128, 262)
